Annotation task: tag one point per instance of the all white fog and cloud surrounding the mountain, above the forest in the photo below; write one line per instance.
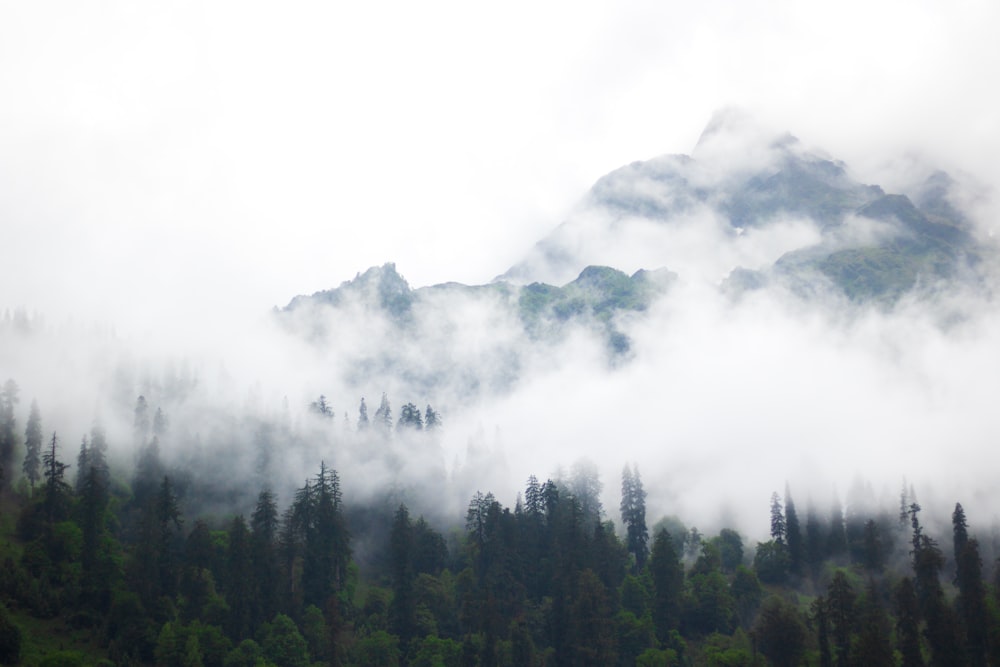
(167, 176)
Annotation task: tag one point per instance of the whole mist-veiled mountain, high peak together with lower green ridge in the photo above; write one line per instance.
(748, 210)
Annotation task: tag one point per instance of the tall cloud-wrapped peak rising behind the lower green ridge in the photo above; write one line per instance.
(867, 244)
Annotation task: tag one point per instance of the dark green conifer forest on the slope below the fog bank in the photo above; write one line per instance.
(99, 565)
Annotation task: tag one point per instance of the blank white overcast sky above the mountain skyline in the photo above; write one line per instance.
(190, 159)
